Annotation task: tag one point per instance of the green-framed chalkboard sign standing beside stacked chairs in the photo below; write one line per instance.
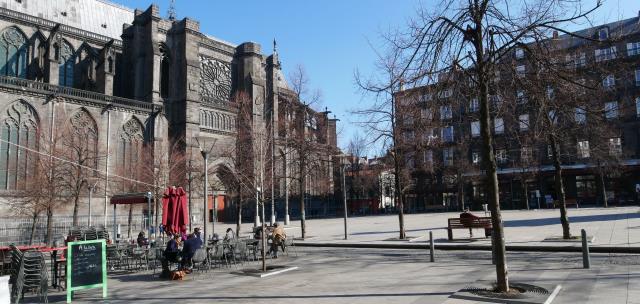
(86, 266)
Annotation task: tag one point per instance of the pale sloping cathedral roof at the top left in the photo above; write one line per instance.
(97, 16)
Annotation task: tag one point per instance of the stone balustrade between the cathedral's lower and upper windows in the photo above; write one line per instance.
(47, 88)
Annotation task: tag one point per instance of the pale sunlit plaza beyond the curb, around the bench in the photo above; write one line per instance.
(618, 227)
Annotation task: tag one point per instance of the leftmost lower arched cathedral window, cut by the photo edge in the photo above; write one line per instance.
(18, 131)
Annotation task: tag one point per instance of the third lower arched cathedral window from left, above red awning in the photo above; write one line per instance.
(129, 152)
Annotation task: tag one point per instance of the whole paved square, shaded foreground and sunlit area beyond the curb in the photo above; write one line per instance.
(349, 275)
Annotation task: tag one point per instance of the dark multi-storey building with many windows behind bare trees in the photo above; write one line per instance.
(598, 116)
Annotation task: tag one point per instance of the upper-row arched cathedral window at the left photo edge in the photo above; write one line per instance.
(13, 53)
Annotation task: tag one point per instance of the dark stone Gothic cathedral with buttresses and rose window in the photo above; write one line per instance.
(130, 81)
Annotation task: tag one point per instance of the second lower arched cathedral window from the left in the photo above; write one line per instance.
(81, 146)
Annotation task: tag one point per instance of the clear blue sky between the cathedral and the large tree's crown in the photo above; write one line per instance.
(330, 38)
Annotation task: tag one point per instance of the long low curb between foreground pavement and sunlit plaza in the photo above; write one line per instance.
(513, 248)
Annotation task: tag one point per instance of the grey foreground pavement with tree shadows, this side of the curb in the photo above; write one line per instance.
(382, 276)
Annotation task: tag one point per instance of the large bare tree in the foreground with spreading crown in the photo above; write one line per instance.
(475, 35)
